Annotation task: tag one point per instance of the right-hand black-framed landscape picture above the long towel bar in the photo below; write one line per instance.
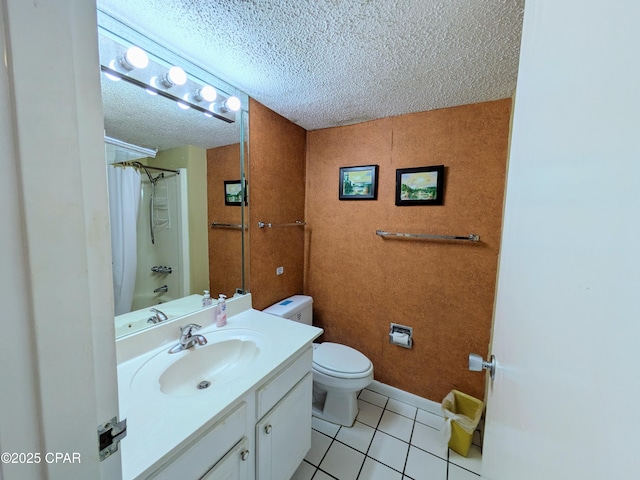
(420, 186)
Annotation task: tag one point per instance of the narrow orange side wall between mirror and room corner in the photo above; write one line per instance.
(277, 195)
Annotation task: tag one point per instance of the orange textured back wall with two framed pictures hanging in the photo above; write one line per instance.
(361, 282)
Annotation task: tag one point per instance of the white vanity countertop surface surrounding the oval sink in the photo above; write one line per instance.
(158, 424)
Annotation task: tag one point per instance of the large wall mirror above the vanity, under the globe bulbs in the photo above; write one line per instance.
(172, 167)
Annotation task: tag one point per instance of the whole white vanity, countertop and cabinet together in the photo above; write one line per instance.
(253, 424)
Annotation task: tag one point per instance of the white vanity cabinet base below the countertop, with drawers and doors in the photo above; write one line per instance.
(274, 419)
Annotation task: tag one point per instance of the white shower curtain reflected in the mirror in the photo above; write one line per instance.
(124, 205)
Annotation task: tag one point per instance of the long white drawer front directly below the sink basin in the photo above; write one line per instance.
(204, 452)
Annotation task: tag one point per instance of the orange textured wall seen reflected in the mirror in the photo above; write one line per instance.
(225, 245)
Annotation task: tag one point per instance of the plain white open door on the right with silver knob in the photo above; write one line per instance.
(565, 400)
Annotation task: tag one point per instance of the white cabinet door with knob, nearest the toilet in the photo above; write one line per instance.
(283, 436)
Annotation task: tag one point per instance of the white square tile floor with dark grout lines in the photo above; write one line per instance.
(390, 440)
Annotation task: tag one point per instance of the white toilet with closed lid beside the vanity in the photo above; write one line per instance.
(339, 372)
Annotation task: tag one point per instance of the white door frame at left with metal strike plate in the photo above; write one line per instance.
(57, 358)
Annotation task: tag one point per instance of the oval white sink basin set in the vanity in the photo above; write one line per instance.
(227, 355)
